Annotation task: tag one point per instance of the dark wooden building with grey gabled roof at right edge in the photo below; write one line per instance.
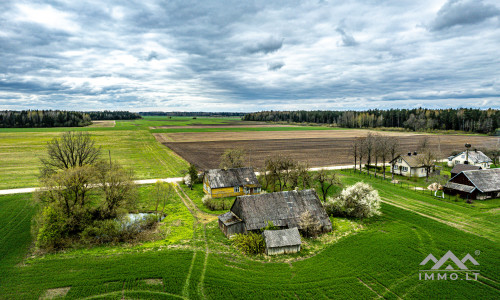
(475, 184)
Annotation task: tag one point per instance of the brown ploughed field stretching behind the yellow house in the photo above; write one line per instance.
(318, 148)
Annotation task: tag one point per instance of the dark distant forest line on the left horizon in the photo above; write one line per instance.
(59, 118)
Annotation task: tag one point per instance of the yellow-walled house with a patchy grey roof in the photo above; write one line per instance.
(220, 183)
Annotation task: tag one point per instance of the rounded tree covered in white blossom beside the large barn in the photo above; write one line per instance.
(359, 201)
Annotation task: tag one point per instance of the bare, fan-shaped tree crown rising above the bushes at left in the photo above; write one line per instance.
(71, 149)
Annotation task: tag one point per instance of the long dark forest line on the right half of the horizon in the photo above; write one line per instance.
(417, 119)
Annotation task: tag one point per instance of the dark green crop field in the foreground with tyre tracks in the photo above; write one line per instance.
(381, 260)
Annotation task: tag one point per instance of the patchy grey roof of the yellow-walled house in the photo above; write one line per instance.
(220, 178)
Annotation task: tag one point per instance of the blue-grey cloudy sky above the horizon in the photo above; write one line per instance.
(249, 56)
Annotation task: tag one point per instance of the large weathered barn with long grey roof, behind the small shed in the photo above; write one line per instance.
(284, 209)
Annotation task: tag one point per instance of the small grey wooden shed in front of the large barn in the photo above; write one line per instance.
(282, 241)
